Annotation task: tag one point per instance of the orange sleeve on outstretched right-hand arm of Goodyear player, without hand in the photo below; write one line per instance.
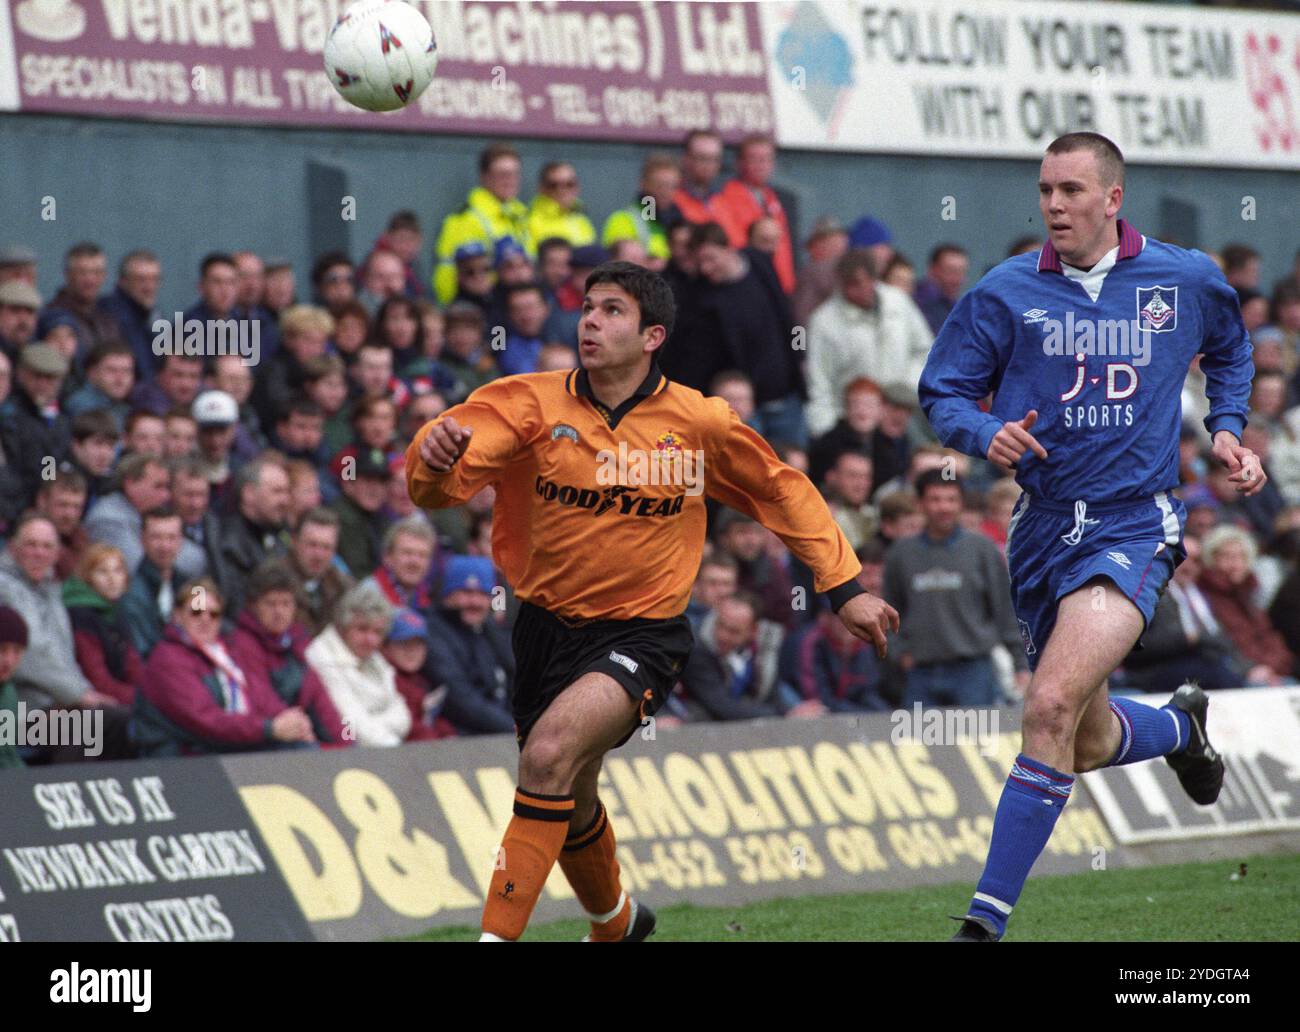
(744, 472)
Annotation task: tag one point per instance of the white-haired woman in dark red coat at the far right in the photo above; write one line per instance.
(1229, 584)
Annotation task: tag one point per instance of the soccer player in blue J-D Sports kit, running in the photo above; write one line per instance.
(1085, 348)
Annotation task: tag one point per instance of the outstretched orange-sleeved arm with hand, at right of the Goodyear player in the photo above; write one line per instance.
(743, 471)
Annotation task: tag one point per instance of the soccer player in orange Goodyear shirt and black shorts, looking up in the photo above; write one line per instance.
(601, 478)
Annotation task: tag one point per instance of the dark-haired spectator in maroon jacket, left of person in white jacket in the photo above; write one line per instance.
(268, 644)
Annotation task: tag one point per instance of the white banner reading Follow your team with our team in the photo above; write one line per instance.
(1169, 84)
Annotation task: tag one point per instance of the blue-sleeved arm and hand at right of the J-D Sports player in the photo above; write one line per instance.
(1229, 371)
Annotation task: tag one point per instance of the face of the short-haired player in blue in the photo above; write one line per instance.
(1076, 206)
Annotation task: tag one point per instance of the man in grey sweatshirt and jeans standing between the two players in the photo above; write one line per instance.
(955, 601)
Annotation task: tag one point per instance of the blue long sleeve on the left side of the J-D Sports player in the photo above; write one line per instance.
(963, 368)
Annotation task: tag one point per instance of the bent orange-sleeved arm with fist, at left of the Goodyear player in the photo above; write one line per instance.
(469, 446)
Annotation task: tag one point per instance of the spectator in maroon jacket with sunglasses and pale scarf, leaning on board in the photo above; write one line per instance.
(194, 699)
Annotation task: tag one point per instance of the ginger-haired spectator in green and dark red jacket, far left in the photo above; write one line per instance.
(101, 639)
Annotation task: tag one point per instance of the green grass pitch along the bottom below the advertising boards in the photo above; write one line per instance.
(1191, 901)
